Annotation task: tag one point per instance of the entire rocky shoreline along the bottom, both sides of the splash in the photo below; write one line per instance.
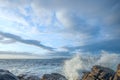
(97, 73)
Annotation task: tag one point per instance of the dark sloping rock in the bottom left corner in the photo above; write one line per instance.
(6, 75)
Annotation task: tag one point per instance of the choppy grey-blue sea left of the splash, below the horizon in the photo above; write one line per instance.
(32, 66)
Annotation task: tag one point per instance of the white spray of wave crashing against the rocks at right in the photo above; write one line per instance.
(74, 68)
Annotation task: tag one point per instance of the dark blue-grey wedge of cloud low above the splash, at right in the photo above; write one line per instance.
(109, 45)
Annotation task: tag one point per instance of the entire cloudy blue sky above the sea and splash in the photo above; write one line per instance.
(58, 28)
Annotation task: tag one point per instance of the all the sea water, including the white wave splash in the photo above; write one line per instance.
(71, 68)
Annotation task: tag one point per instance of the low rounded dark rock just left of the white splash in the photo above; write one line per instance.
(53, 76)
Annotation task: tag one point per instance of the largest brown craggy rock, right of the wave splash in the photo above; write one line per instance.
(99, 73)
